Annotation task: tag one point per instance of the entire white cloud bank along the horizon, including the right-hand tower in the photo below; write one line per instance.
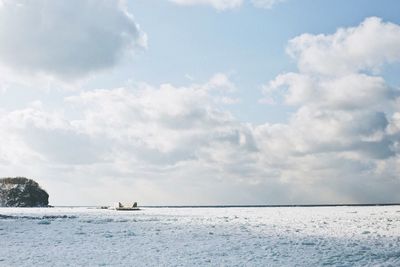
(180, 145)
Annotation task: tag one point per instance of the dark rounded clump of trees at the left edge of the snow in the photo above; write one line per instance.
(22, 192)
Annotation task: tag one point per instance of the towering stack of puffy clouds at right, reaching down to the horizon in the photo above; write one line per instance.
(344, 132)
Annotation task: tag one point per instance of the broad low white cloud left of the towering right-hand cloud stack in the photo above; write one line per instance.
(146, 135)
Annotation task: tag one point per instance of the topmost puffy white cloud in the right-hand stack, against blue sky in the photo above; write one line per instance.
(361, 48)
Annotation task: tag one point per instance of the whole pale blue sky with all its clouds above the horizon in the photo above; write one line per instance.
(202, 102)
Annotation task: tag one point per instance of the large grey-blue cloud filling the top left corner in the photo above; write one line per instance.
(66, 39)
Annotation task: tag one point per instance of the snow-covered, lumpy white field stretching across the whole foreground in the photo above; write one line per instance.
(321, 236)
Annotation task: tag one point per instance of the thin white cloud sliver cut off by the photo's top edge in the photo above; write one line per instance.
(227, 4)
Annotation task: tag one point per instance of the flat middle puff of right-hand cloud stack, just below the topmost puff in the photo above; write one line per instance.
(349, 91)
